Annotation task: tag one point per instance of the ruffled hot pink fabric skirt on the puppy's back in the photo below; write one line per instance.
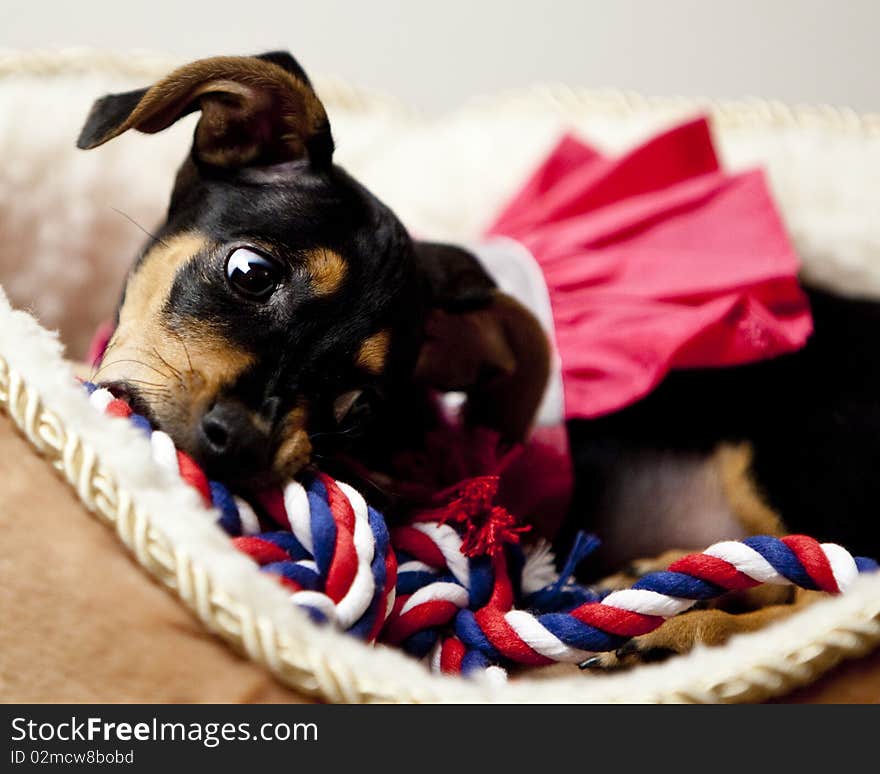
(656, 260)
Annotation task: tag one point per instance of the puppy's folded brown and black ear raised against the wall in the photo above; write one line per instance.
(256, 110)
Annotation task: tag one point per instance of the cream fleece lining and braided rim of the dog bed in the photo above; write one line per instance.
(446, 178)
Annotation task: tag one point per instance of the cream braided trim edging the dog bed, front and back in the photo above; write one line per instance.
(173, 537)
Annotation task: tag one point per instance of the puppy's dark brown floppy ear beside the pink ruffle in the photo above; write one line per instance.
(481, 341)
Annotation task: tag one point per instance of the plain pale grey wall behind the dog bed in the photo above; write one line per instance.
(435, 54)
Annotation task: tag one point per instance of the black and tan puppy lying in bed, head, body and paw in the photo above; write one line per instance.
(281, 311)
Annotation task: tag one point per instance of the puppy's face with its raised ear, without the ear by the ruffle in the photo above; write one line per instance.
(277, 290)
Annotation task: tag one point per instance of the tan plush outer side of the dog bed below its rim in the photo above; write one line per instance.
(81, 622)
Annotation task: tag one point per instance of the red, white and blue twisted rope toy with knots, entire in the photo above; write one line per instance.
(454, 584)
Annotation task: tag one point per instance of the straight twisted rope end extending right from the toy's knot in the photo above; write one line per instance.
(501, 633)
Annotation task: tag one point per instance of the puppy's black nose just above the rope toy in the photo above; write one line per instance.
(230, 442)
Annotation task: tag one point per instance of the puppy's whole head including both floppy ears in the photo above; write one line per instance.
(280, 298)
